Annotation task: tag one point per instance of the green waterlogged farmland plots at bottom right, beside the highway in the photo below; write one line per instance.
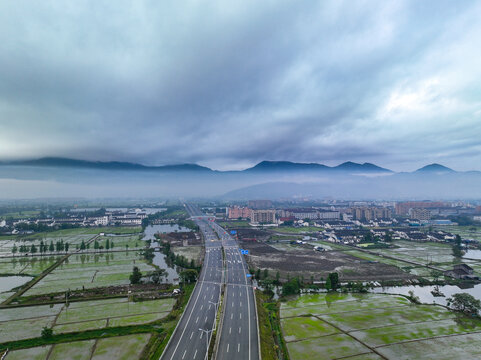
(375, 326)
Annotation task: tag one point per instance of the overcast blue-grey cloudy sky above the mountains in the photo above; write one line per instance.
(230, 83)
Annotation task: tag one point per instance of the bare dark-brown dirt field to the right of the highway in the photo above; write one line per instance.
(307, 262)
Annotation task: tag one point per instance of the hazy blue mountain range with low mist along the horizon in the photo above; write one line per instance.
(62, 177)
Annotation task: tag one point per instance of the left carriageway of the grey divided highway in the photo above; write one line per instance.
(193, 332)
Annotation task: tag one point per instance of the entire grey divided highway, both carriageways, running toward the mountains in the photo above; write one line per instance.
(238, 336)
